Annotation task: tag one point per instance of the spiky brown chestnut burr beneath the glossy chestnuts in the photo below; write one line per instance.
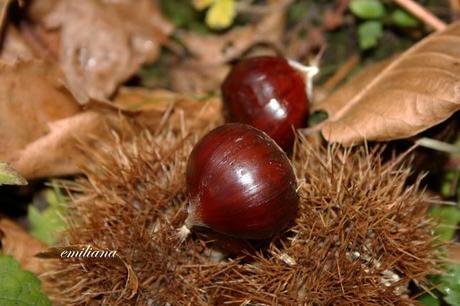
(359, 224)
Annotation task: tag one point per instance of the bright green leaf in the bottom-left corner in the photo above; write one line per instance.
(19, 287)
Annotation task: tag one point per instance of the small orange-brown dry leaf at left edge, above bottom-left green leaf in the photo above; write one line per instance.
(19, 244)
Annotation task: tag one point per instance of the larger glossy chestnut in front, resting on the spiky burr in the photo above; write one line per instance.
(240, 183)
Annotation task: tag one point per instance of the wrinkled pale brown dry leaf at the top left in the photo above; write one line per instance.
(104, 42)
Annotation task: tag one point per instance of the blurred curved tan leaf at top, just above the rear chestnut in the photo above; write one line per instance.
(218, 49)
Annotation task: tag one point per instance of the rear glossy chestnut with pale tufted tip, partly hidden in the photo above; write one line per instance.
(267, 93)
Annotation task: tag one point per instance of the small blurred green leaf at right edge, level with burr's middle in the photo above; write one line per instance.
(448, 217)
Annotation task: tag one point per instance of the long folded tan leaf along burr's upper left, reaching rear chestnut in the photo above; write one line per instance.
(58, 152)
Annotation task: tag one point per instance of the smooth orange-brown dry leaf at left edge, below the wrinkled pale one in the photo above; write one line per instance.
(32, 94)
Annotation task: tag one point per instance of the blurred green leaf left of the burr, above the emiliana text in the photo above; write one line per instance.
(46, 225)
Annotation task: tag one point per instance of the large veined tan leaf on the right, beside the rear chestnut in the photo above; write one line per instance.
(415, 92)
